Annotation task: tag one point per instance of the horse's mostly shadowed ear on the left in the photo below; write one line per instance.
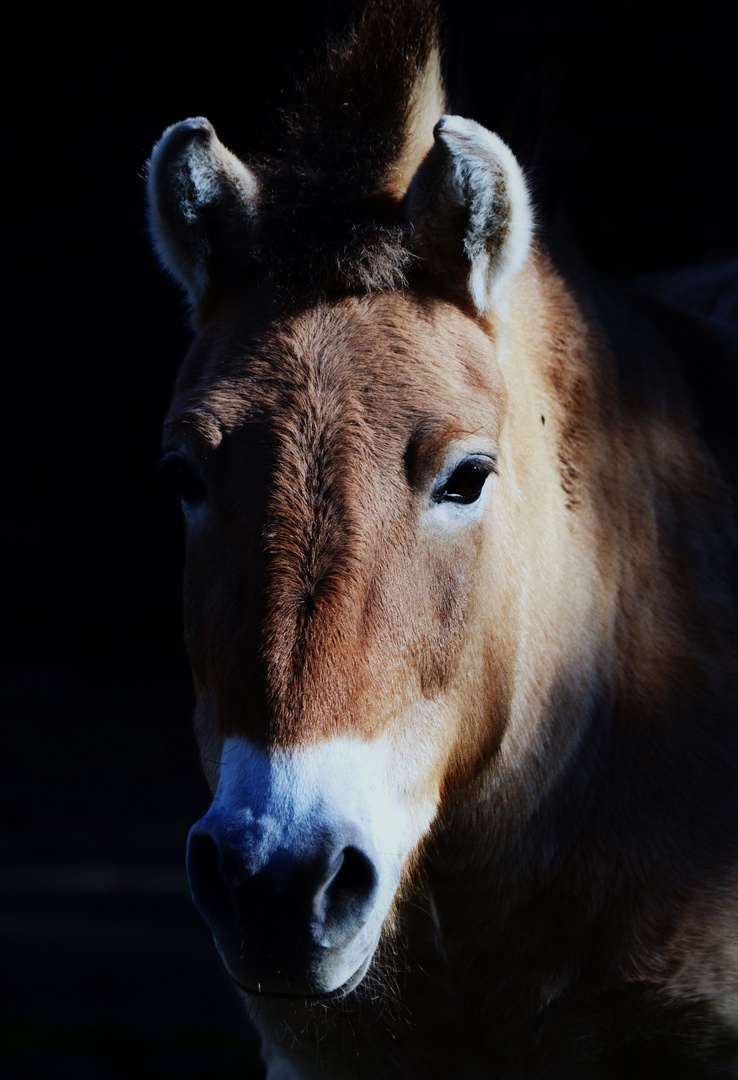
(203, 207)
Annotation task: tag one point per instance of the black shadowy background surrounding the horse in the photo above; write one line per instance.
(625, 116)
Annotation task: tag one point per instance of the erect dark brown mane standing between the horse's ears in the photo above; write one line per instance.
(331, 220)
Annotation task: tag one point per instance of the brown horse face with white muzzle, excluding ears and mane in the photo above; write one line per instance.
(339, 475)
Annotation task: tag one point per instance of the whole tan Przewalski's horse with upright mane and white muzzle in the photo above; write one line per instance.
(461, 550)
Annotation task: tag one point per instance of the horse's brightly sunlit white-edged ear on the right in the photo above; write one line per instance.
(471, 211)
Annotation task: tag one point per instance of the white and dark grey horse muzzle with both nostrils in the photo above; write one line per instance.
(292, 880)
